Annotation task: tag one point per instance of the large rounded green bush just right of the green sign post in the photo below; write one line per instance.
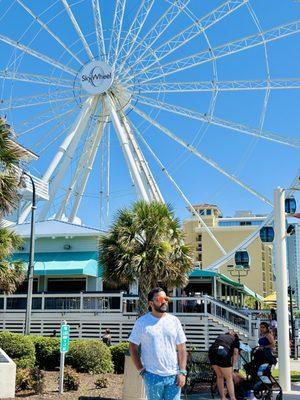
(89, 356)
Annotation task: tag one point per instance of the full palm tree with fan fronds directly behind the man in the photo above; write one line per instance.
(145, 244)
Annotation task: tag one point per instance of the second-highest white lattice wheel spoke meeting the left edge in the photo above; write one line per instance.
(35, 78)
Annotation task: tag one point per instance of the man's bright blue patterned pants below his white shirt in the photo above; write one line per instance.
(161, 387)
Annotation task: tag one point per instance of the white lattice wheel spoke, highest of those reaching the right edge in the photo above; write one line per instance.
(227, 49)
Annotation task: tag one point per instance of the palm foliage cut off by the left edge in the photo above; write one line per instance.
(11, 155)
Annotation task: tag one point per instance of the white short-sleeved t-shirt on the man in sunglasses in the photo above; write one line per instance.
(158, 338)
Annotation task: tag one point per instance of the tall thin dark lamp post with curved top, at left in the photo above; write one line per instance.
(31, 259)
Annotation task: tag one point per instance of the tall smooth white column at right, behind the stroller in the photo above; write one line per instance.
(281, 289)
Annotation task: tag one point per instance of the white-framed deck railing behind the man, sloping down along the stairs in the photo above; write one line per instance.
(100, 302)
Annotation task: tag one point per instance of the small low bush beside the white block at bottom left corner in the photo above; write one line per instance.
(27, 379)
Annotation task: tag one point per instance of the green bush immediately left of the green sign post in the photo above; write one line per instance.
(47, 352)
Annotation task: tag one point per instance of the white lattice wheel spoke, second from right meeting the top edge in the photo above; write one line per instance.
(157, 30)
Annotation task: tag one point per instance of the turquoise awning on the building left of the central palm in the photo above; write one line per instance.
(64, 263)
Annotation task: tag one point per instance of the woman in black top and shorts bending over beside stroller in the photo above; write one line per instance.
(223, 356)
